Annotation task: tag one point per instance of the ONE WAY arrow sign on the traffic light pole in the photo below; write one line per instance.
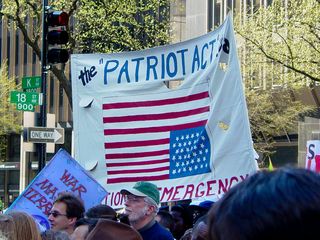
(44, 135)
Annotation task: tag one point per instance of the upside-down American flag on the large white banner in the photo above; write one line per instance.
(158, 136)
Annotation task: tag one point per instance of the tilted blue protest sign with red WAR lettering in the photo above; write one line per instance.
(61, 174)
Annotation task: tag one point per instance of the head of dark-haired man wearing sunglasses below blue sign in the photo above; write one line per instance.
(66, 210)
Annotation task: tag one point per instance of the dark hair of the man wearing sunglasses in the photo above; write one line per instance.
(75, 207)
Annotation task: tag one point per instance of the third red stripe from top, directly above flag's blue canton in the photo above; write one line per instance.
(154, 129)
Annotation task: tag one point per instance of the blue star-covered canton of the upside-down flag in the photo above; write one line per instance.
(189, 152)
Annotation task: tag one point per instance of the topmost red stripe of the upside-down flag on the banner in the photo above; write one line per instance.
(184, 99)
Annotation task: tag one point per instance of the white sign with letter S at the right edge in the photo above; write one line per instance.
(313, 155)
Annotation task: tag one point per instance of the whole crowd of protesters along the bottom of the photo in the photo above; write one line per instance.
(281, 204)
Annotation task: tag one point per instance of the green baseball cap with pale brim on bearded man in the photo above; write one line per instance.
(144, 189)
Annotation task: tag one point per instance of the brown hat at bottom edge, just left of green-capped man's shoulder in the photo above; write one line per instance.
(112, 230)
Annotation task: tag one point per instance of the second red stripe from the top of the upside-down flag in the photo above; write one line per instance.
(160, 116)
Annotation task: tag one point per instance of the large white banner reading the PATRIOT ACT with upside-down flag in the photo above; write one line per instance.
(192, 141)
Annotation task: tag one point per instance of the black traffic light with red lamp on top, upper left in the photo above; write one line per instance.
(57, 35)
